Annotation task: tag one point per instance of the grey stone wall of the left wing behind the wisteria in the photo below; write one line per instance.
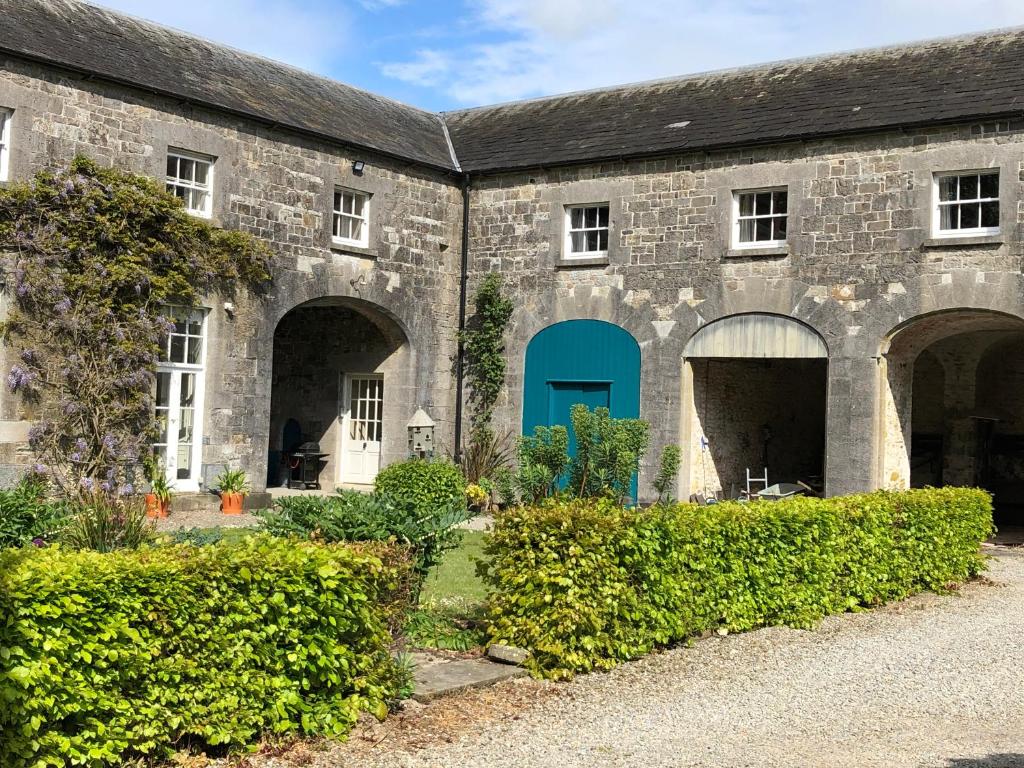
(280, 188)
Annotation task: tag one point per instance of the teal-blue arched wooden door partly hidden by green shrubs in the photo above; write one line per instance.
(586, 361)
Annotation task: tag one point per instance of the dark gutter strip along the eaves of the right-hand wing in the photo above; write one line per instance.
(727, 146)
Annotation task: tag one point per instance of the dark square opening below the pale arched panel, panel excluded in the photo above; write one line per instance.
(760, 414)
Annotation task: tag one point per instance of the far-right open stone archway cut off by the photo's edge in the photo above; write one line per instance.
(954, 406)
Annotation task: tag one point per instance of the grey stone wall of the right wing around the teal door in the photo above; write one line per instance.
(860, 262)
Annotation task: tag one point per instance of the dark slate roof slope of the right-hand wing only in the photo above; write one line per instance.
(938, 81)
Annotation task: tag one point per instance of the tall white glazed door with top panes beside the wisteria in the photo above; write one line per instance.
(179, 399)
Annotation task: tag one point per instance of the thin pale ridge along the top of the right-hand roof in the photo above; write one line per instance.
(748, 69)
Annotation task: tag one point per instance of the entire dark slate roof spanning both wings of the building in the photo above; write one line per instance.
(963, 79)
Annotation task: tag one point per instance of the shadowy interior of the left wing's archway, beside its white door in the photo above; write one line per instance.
(314, 346)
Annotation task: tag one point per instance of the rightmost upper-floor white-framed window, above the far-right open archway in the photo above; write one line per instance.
(967, 203)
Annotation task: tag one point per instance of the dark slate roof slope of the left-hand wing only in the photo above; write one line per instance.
(118, 48)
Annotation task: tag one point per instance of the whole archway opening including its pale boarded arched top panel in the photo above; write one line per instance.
(755, 392)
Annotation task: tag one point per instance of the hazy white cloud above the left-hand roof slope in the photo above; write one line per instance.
(302, 33)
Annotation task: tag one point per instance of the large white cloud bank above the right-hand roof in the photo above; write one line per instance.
(537, 48)
